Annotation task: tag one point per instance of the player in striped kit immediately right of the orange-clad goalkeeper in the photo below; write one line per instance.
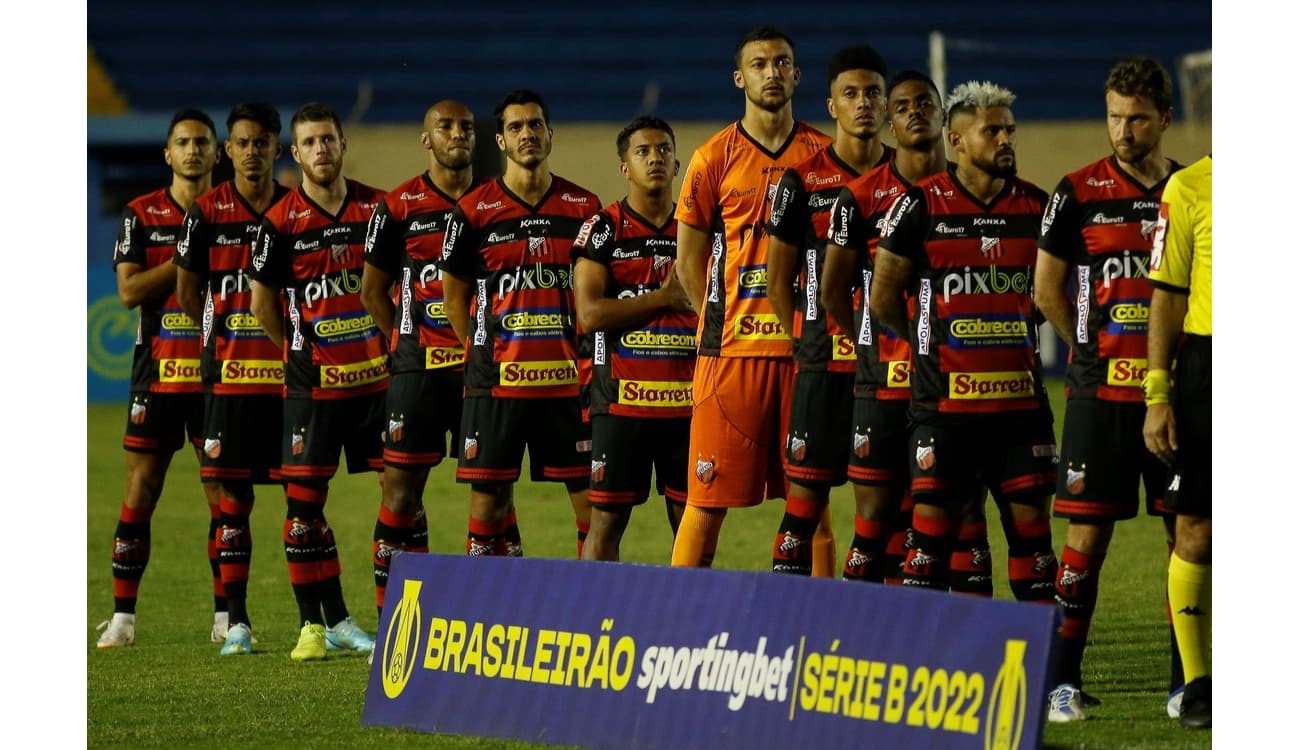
(817, 444)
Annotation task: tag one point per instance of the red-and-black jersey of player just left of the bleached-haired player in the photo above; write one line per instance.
(857, 218)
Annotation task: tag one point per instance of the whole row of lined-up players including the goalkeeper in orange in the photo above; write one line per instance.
(812, 310)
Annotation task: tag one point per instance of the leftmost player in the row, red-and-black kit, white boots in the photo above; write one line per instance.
(167, 392)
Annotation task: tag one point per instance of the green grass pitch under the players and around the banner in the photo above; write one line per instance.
(174, 691)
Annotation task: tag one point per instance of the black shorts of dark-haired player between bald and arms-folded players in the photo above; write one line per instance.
(495, 432)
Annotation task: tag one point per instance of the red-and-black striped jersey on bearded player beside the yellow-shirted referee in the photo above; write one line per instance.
(1102, 222)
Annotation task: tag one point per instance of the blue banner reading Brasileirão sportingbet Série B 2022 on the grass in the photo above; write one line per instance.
(647, 657)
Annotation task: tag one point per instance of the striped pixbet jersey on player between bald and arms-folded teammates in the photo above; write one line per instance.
(522, 317)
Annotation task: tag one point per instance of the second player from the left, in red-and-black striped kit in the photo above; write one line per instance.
(242, 371)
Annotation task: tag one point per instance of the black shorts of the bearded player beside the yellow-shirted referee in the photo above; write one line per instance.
(1103, 459)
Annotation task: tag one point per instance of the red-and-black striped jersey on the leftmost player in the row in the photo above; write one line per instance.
(167, 341)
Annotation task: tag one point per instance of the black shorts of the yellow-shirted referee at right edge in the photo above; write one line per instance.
(1190, 483)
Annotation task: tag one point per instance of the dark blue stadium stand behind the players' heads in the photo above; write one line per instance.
(601, 62)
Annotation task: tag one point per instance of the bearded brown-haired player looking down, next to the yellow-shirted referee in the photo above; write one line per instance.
(1095, 241)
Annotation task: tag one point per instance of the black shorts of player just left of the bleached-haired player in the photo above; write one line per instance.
(878, 449)
